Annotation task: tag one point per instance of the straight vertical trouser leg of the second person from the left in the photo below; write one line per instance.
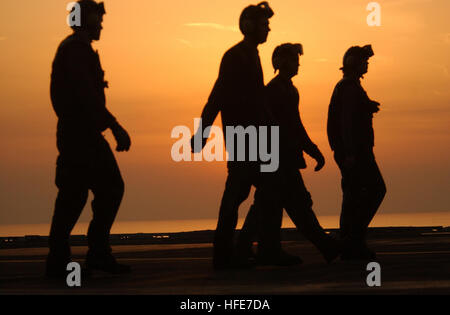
(237, 189)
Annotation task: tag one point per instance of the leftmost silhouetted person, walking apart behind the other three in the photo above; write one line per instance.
(85, 160)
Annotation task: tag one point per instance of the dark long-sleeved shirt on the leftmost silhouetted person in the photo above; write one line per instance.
(77, 93)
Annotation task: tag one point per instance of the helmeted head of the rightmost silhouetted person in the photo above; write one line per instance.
(356, 60)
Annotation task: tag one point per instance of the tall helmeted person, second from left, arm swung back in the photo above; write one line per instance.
(238, 95)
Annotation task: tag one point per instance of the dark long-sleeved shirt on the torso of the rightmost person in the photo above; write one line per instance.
(350, 115)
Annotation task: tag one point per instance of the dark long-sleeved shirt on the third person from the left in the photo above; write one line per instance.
(283, 99)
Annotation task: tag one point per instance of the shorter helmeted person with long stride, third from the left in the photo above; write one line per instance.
(283, 100)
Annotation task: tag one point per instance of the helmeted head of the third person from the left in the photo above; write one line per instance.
(286, 59)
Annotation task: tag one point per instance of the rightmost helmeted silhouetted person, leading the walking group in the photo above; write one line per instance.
(351, 137)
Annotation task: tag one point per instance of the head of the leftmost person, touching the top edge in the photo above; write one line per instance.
(91, 18)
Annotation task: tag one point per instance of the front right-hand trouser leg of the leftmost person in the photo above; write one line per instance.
(108, 189)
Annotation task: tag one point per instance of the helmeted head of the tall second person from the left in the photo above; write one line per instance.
(254, 22)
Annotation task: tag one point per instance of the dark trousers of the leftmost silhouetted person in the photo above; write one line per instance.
(96, 171)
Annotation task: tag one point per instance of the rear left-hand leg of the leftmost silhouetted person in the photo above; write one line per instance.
(70, 201)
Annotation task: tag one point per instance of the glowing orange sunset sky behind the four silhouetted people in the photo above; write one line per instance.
(161, 60)
